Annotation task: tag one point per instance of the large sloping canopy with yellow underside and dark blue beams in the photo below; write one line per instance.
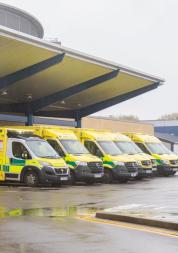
(44, 79)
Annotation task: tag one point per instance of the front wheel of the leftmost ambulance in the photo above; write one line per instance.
(30, 175)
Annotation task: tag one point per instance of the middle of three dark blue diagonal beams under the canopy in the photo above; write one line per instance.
(61, 95)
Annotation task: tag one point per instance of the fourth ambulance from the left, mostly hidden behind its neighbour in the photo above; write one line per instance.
(146, 163)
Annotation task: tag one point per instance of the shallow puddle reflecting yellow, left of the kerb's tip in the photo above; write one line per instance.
(72, 211)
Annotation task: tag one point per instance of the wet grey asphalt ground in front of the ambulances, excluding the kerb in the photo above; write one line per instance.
(43, 220)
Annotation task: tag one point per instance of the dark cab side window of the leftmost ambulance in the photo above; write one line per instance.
(20, 151)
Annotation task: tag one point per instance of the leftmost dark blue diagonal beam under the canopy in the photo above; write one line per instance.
(12, 78)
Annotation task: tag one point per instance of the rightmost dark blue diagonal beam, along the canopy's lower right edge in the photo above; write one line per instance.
(116, 100)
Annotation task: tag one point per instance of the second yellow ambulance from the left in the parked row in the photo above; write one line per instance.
(84, 167)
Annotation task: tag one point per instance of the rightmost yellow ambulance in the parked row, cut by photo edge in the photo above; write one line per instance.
(167, 161)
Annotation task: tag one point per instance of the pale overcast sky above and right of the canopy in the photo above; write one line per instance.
(138, 33)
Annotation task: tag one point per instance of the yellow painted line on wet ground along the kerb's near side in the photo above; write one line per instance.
(162, 232)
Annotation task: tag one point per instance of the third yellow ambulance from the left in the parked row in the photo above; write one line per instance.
(116, 165)
